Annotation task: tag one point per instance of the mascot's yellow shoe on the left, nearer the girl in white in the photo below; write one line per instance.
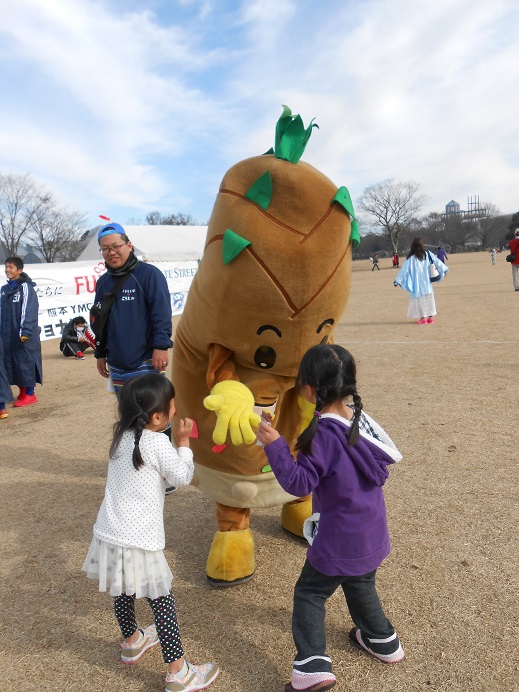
(231, 558)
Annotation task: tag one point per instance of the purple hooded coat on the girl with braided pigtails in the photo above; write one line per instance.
(346, 482)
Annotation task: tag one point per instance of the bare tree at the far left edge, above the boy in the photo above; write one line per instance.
(20, 198)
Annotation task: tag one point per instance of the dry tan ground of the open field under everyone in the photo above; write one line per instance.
(446, 393)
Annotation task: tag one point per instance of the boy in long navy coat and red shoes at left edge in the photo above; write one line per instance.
(20, 331)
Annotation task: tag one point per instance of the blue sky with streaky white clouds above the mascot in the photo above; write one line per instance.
(121, 107)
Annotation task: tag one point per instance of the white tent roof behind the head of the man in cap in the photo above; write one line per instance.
(158, 243)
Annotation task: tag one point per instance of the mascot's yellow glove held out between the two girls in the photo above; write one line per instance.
(233, 404)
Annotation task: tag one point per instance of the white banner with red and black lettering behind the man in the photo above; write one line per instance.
(67, 289)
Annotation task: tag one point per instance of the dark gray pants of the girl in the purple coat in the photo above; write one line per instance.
(311, 592)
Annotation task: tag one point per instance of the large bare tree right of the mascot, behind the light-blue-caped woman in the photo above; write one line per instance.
(392, 205)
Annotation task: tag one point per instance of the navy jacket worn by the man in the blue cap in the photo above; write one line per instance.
(140, 318)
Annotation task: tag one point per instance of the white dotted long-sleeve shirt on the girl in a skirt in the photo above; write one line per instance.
(132, 512)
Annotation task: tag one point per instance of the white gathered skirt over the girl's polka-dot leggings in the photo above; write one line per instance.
(144, 573)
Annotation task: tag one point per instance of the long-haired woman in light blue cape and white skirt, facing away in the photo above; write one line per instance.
(414, 277)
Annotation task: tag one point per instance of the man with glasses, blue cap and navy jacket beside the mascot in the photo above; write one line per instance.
(138, 328)
